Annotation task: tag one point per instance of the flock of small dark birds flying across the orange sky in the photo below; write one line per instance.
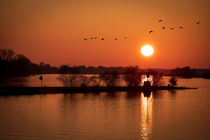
(150, 31)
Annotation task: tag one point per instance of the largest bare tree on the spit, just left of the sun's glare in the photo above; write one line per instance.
(132, 76)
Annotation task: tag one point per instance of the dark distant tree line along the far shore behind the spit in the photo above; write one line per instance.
(13, 64)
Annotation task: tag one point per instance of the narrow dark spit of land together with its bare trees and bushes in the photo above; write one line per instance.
(76, 83)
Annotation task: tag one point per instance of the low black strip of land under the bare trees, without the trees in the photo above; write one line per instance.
(47, 90)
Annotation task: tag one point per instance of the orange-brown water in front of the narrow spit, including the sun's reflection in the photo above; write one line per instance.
(165, 115)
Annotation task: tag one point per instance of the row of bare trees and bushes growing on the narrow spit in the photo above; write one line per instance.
(132, 76)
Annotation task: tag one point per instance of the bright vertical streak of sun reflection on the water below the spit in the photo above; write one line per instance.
(146, 113)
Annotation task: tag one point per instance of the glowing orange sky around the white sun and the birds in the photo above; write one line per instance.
(53, 31)
